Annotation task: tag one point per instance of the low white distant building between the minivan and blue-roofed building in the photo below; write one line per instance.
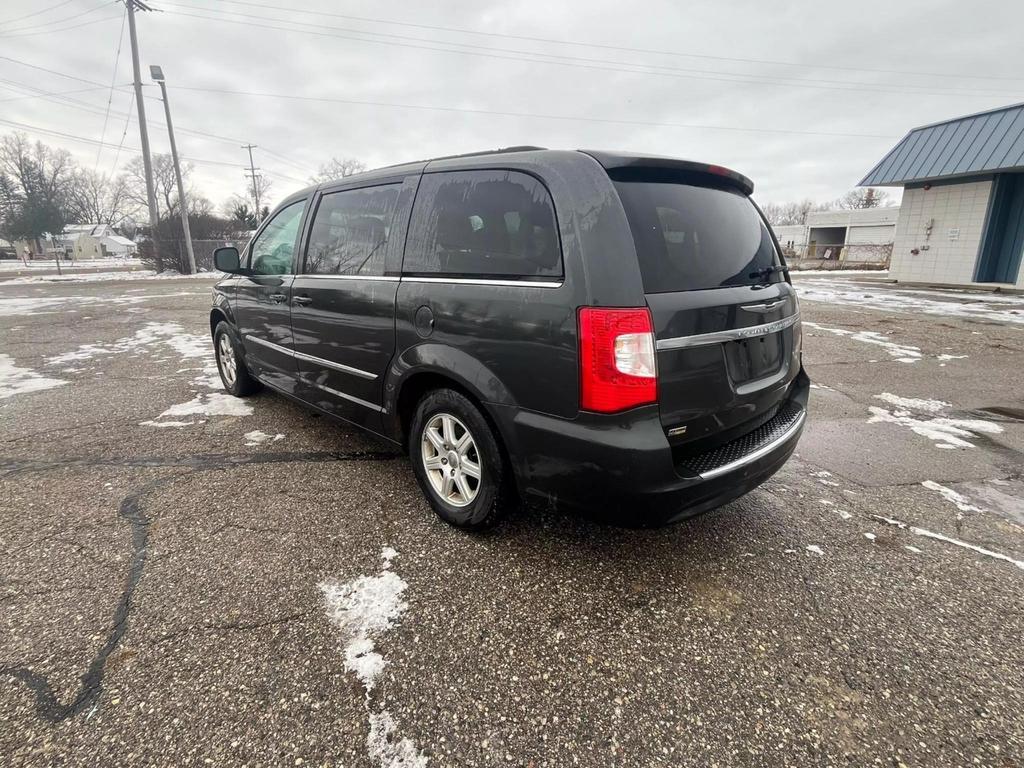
(862, 236)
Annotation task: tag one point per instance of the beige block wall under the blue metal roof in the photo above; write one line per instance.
(960, 207)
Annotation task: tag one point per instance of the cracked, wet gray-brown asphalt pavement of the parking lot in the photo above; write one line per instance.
(160, 585)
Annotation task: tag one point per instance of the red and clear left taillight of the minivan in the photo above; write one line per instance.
(618, 368)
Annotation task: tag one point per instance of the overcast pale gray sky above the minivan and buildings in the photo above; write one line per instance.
(802, 98)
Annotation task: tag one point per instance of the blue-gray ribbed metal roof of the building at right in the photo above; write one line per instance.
(986, 143)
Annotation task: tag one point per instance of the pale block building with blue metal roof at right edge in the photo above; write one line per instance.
(963, 216)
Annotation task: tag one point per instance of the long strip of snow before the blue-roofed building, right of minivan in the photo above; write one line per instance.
(973, 305)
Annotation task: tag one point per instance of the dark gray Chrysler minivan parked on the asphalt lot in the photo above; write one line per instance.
(612, 331)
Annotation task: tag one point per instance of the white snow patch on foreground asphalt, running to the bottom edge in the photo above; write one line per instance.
(364, 610)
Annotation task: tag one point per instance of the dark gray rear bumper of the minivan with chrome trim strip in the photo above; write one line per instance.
(622, 468)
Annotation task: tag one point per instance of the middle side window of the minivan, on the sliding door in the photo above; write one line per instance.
(352, 231)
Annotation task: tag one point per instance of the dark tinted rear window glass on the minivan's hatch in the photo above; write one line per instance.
(692, 238)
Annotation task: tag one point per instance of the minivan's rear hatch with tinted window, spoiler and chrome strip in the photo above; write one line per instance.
(726, 316)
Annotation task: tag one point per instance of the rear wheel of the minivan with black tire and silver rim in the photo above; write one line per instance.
(458, 462)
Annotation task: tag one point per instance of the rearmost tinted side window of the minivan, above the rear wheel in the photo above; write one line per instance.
(484, 224)
